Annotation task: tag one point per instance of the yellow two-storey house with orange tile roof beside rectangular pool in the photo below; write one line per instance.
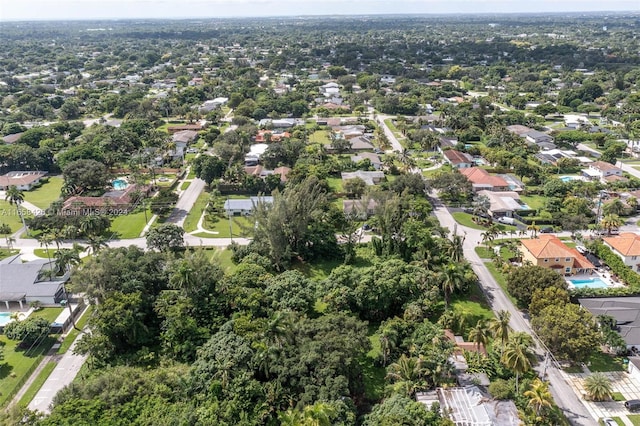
(550, 252)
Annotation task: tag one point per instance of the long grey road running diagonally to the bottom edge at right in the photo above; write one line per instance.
(562, 392)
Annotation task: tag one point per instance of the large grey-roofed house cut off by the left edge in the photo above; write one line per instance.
(28, 282)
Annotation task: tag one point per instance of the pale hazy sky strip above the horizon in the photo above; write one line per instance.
(26, 10)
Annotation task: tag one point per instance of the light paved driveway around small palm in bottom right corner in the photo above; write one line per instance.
(620, 382)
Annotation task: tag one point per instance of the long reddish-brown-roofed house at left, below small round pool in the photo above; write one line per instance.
(112, 202)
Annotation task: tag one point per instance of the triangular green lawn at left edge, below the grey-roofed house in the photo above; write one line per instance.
(17, 364)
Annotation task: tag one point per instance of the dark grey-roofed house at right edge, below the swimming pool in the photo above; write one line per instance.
(626, 312)
